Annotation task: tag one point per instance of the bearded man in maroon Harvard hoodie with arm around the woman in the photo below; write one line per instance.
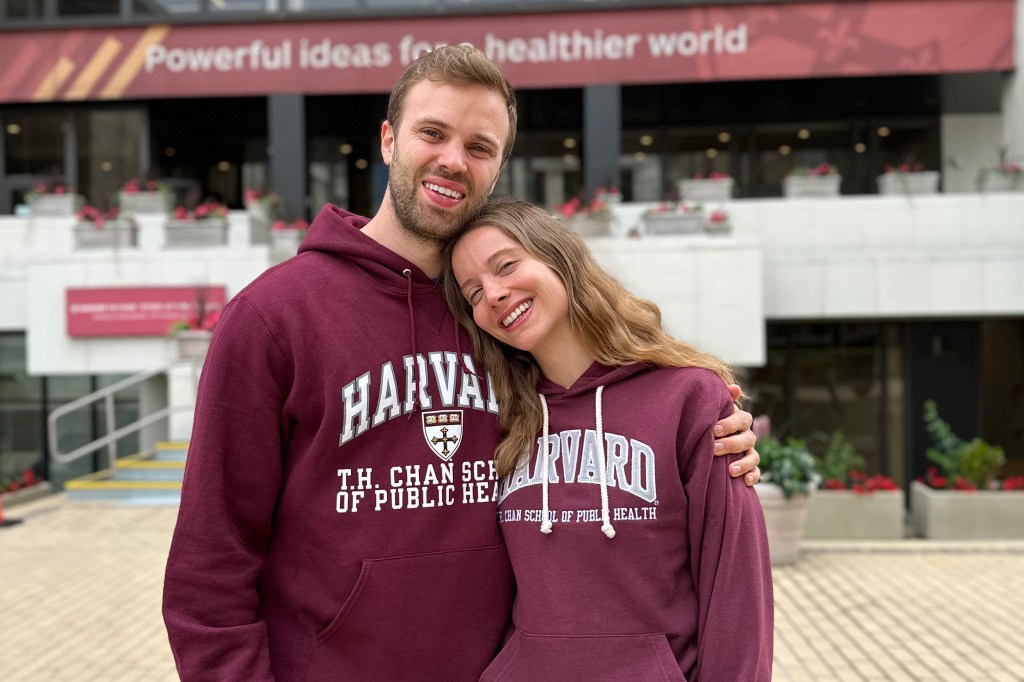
(338, 518)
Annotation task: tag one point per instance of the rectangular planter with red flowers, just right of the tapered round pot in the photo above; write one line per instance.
(849, 504)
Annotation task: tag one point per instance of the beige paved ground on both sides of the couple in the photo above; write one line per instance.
(80, 591)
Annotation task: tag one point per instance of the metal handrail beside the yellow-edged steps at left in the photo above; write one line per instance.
(114, 435)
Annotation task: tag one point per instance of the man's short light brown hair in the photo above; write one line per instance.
(455, 65)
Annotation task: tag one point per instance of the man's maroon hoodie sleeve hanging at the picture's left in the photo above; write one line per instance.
(232, 481)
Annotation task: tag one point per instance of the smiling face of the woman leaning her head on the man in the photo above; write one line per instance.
(516, 299)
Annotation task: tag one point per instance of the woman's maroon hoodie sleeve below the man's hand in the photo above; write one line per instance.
(729, 556)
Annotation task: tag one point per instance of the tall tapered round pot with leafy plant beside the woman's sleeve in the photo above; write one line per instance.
(788, 480)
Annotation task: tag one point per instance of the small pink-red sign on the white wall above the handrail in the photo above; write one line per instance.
(138, 311)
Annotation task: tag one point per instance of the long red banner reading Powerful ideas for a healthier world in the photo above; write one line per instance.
(666, 46)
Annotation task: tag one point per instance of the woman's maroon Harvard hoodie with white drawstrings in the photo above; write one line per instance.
(676, 585)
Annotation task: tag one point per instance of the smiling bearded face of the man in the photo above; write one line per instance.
(445, 157)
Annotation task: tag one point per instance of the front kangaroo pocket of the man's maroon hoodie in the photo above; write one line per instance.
(426, 617)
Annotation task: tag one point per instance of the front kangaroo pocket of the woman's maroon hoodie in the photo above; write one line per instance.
(592, 658)
